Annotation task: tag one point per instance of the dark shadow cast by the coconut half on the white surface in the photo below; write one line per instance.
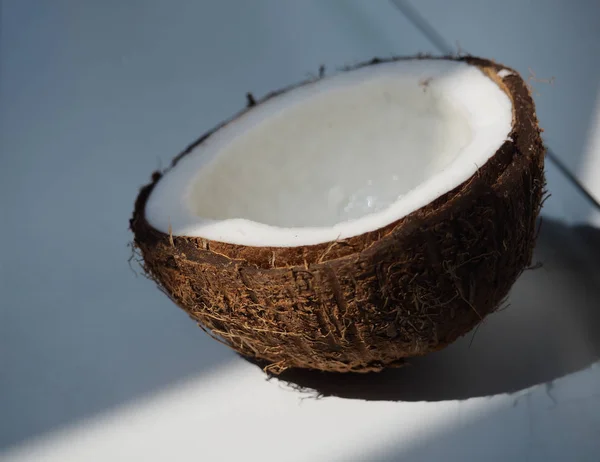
(550, 328)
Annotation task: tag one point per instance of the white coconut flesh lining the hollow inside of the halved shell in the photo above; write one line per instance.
(336, 158)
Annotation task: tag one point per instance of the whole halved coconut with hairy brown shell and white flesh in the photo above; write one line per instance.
(351, 221)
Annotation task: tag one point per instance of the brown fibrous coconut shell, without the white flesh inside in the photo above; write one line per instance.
(370, 301)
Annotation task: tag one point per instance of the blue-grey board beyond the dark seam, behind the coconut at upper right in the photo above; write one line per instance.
(555, 43)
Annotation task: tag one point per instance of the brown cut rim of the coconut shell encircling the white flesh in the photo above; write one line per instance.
(496, 176)
